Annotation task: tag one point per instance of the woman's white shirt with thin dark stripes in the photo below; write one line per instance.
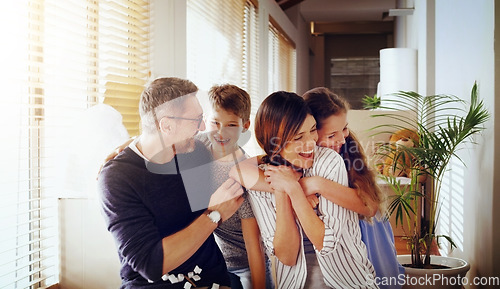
(343, 259)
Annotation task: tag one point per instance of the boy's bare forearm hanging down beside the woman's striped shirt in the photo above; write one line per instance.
(255, 252)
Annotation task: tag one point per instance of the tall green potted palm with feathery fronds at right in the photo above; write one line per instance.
(442, 129)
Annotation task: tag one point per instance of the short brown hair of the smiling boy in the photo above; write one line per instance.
(231, 98)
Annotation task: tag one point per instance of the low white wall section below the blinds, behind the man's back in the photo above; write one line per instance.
(87, 252)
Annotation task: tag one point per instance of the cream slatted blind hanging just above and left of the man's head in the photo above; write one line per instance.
(124, 34)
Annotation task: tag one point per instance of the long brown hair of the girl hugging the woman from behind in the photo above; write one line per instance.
(323, 104)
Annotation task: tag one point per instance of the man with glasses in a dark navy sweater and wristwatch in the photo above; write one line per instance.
(154, 196)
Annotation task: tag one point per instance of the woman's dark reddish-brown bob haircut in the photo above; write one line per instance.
(278, 120)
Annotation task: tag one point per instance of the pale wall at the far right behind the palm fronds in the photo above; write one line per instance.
(465, 53)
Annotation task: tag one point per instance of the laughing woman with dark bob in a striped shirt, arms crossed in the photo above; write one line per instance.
(330, 253)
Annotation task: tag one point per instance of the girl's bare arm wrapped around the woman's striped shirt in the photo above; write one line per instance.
(341, 195)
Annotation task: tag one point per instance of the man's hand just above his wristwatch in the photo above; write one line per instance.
(227, 199)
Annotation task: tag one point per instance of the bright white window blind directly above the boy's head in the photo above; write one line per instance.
(223, 47)
